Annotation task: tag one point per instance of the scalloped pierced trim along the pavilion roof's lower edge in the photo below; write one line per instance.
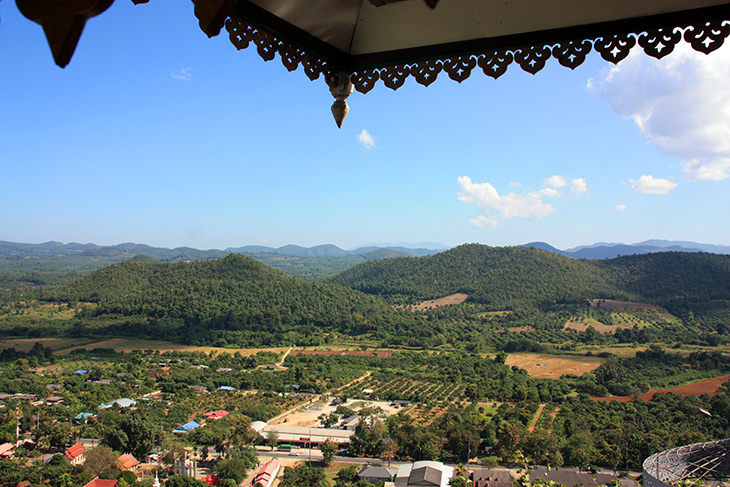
(704, 37)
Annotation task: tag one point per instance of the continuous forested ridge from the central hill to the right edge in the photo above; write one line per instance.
(514, 277)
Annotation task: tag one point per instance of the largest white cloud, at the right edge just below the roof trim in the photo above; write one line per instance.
(680, 103)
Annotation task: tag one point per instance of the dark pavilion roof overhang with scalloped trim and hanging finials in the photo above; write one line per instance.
(353, 44)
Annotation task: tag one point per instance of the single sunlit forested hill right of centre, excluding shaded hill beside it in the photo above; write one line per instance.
(502, 277)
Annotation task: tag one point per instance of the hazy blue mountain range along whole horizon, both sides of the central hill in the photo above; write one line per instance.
(307, 262)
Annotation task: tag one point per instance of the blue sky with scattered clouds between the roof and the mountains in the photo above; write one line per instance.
(156, 134)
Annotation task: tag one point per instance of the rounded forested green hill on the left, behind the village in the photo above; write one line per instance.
(235, 294)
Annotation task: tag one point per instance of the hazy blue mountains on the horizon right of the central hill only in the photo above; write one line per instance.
(603, 250)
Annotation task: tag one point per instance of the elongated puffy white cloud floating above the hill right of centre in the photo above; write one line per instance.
(528, 206)
